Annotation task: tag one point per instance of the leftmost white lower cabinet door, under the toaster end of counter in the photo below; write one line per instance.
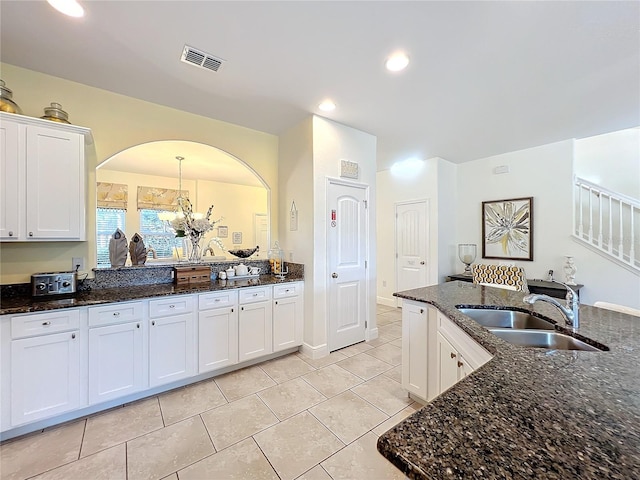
(45, 376)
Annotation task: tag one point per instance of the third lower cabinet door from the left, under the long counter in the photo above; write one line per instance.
(171, 349)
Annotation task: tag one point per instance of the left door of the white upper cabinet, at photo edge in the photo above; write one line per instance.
(10, 180)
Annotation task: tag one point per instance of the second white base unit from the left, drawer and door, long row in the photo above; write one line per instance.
(117, 360)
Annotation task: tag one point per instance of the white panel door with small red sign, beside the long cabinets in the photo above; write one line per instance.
(347, 254)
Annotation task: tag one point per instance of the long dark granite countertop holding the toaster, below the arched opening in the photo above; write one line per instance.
(97, 296)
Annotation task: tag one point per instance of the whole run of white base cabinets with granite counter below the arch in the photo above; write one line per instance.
(64, 358)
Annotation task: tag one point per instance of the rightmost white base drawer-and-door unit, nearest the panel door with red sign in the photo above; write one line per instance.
(288, 312)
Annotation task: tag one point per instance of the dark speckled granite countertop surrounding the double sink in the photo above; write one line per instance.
(528, 413)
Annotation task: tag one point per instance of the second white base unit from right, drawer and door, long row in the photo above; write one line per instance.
(255, 328)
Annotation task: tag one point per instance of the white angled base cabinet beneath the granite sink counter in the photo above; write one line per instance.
(436, 353)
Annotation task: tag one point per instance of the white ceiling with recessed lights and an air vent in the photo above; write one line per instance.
(485, 77)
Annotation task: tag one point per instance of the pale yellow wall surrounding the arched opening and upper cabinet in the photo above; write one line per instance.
(119, 122)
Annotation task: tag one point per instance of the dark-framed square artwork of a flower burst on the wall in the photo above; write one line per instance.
(507, 229)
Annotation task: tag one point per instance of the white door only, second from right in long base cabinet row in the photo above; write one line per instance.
(254, 331)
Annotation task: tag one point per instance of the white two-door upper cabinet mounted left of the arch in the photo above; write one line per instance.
(43, 180)
